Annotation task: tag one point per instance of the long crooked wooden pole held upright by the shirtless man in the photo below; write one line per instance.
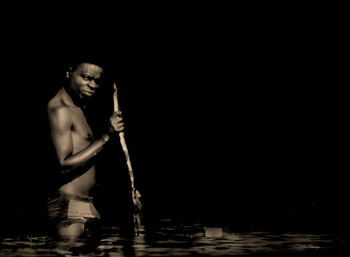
(134, 193)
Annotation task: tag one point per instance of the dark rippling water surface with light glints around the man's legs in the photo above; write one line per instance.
(171, 239)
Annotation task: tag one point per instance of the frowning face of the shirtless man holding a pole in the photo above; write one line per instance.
(86, 79)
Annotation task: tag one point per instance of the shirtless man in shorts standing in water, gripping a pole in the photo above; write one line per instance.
(76, 148)
